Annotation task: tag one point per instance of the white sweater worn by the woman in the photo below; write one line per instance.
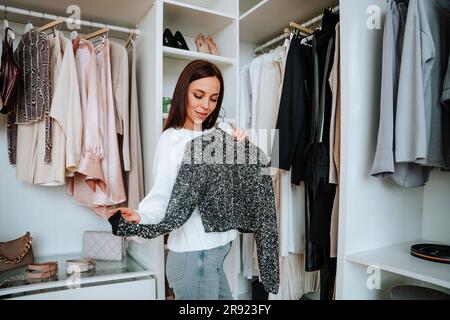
(168, 157)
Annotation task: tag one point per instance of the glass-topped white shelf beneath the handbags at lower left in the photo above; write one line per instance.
(106, 271)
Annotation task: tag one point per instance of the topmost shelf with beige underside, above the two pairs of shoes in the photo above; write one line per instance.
(191, 20)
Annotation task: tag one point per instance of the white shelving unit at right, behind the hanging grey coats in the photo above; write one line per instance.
(378, 220)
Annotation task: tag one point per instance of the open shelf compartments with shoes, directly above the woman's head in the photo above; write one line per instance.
(218, 19)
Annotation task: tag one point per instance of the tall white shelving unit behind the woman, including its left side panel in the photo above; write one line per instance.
(163, 66)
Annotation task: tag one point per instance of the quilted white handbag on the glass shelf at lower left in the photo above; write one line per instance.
(100, 245)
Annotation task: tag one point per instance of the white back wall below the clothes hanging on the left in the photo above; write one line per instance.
(54, 221)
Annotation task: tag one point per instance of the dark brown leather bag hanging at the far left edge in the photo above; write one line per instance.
(9, 74)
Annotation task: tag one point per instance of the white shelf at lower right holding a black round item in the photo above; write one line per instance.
(397, 259)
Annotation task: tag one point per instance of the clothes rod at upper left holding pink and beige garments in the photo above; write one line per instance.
(36, 14)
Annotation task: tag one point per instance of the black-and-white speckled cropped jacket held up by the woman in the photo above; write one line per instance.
(231, 185)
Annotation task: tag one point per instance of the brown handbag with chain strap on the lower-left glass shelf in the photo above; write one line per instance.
(16, 253)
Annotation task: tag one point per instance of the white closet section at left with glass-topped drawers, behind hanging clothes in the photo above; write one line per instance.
(57, 224)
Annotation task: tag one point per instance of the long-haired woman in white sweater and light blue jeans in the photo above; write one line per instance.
(195, 259)
